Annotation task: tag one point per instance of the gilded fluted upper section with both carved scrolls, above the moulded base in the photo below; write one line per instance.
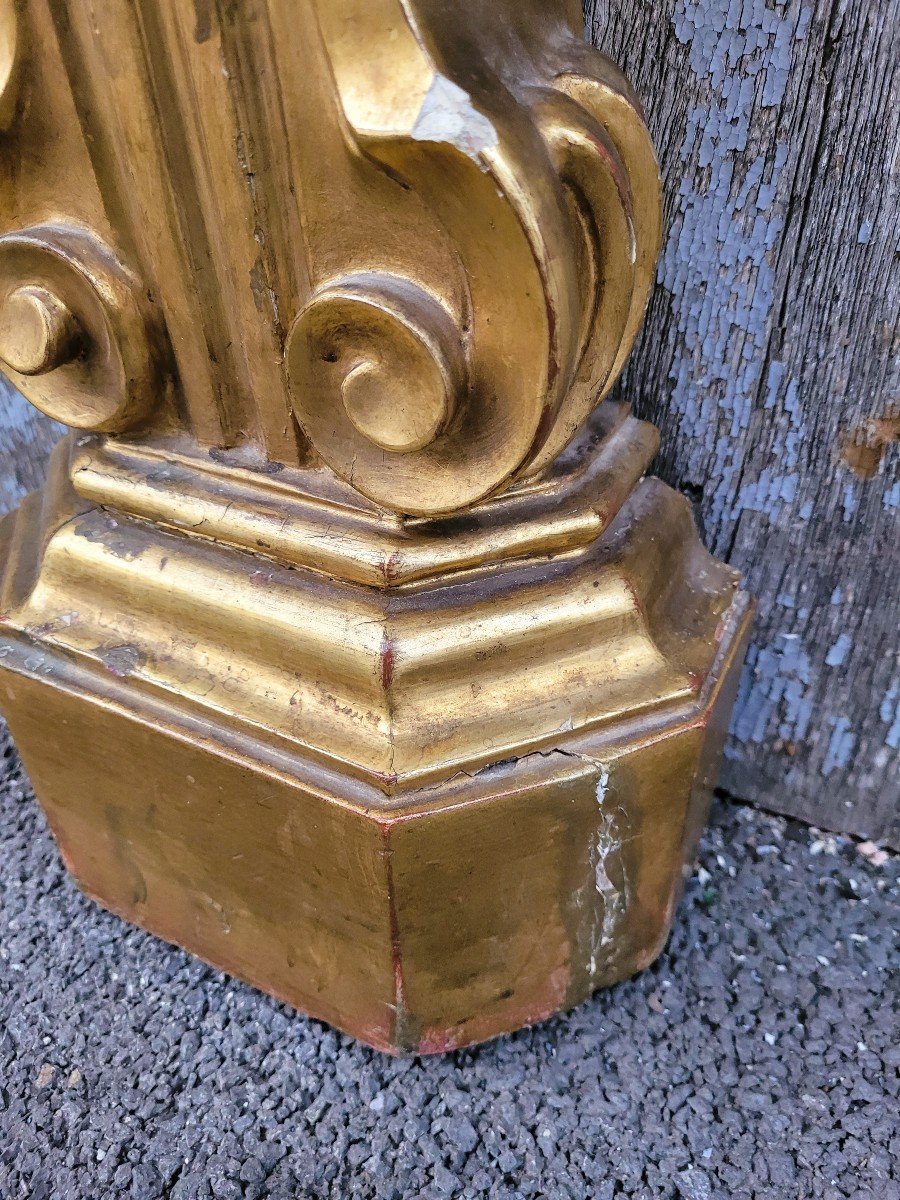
(415, 243)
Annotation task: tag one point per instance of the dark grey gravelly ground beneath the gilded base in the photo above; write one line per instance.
(759, 1057)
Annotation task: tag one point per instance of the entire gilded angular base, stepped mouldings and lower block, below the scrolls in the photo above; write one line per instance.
(428, 814)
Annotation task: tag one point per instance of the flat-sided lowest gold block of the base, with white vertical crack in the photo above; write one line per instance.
(459, 914)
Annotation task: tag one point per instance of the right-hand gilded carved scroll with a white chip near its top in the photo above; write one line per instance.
(478, 359)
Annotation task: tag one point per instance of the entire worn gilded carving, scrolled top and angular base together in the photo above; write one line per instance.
(347, 645)
